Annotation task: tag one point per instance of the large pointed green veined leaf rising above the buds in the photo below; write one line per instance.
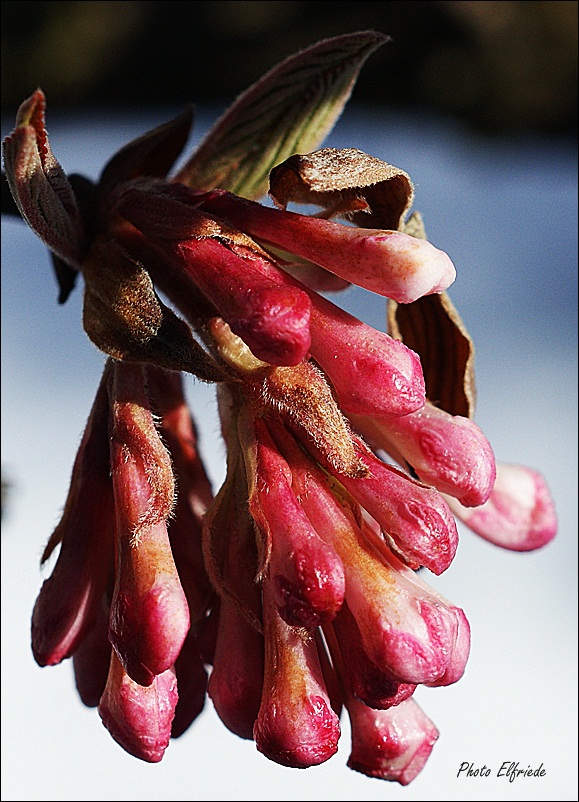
(289, 110)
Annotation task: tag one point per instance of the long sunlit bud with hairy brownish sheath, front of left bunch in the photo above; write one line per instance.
(149, 616)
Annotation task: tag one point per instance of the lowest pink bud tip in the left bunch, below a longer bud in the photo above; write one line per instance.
(139, 718)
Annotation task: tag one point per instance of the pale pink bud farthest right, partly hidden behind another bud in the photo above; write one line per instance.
(519, 514)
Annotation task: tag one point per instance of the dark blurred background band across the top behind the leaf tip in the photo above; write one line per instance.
(502, 67)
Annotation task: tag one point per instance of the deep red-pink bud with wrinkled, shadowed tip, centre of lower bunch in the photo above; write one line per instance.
(307, 575)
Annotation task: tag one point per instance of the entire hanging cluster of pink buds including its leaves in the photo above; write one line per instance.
(293, 595)
